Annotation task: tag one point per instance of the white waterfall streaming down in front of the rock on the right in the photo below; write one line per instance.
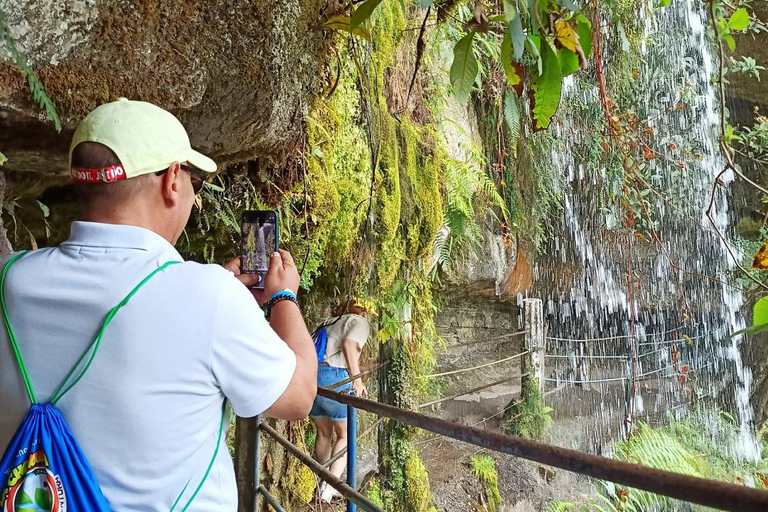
(655, 321)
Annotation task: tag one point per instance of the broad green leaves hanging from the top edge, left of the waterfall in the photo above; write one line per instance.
(554, 36)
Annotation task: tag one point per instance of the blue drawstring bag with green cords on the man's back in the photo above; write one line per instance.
(43, 468)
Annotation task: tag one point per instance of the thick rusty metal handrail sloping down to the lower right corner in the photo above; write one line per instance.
(710, 493)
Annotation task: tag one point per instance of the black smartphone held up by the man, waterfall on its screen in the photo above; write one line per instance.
(260, 238)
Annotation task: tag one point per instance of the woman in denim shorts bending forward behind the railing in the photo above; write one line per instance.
(347, 332)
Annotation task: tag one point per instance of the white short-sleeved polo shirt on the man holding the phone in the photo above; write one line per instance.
(148, 410)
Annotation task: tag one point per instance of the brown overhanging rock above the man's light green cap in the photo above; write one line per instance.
(239, 74)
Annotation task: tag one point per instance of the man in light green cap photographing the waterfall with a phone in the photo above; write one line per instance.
(147, 412)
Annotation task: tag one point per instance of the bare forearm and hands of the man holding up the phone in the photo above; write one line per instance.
(288, 323)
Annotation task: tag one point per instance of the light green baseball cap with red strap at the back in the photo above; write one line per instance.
(144, 137)
